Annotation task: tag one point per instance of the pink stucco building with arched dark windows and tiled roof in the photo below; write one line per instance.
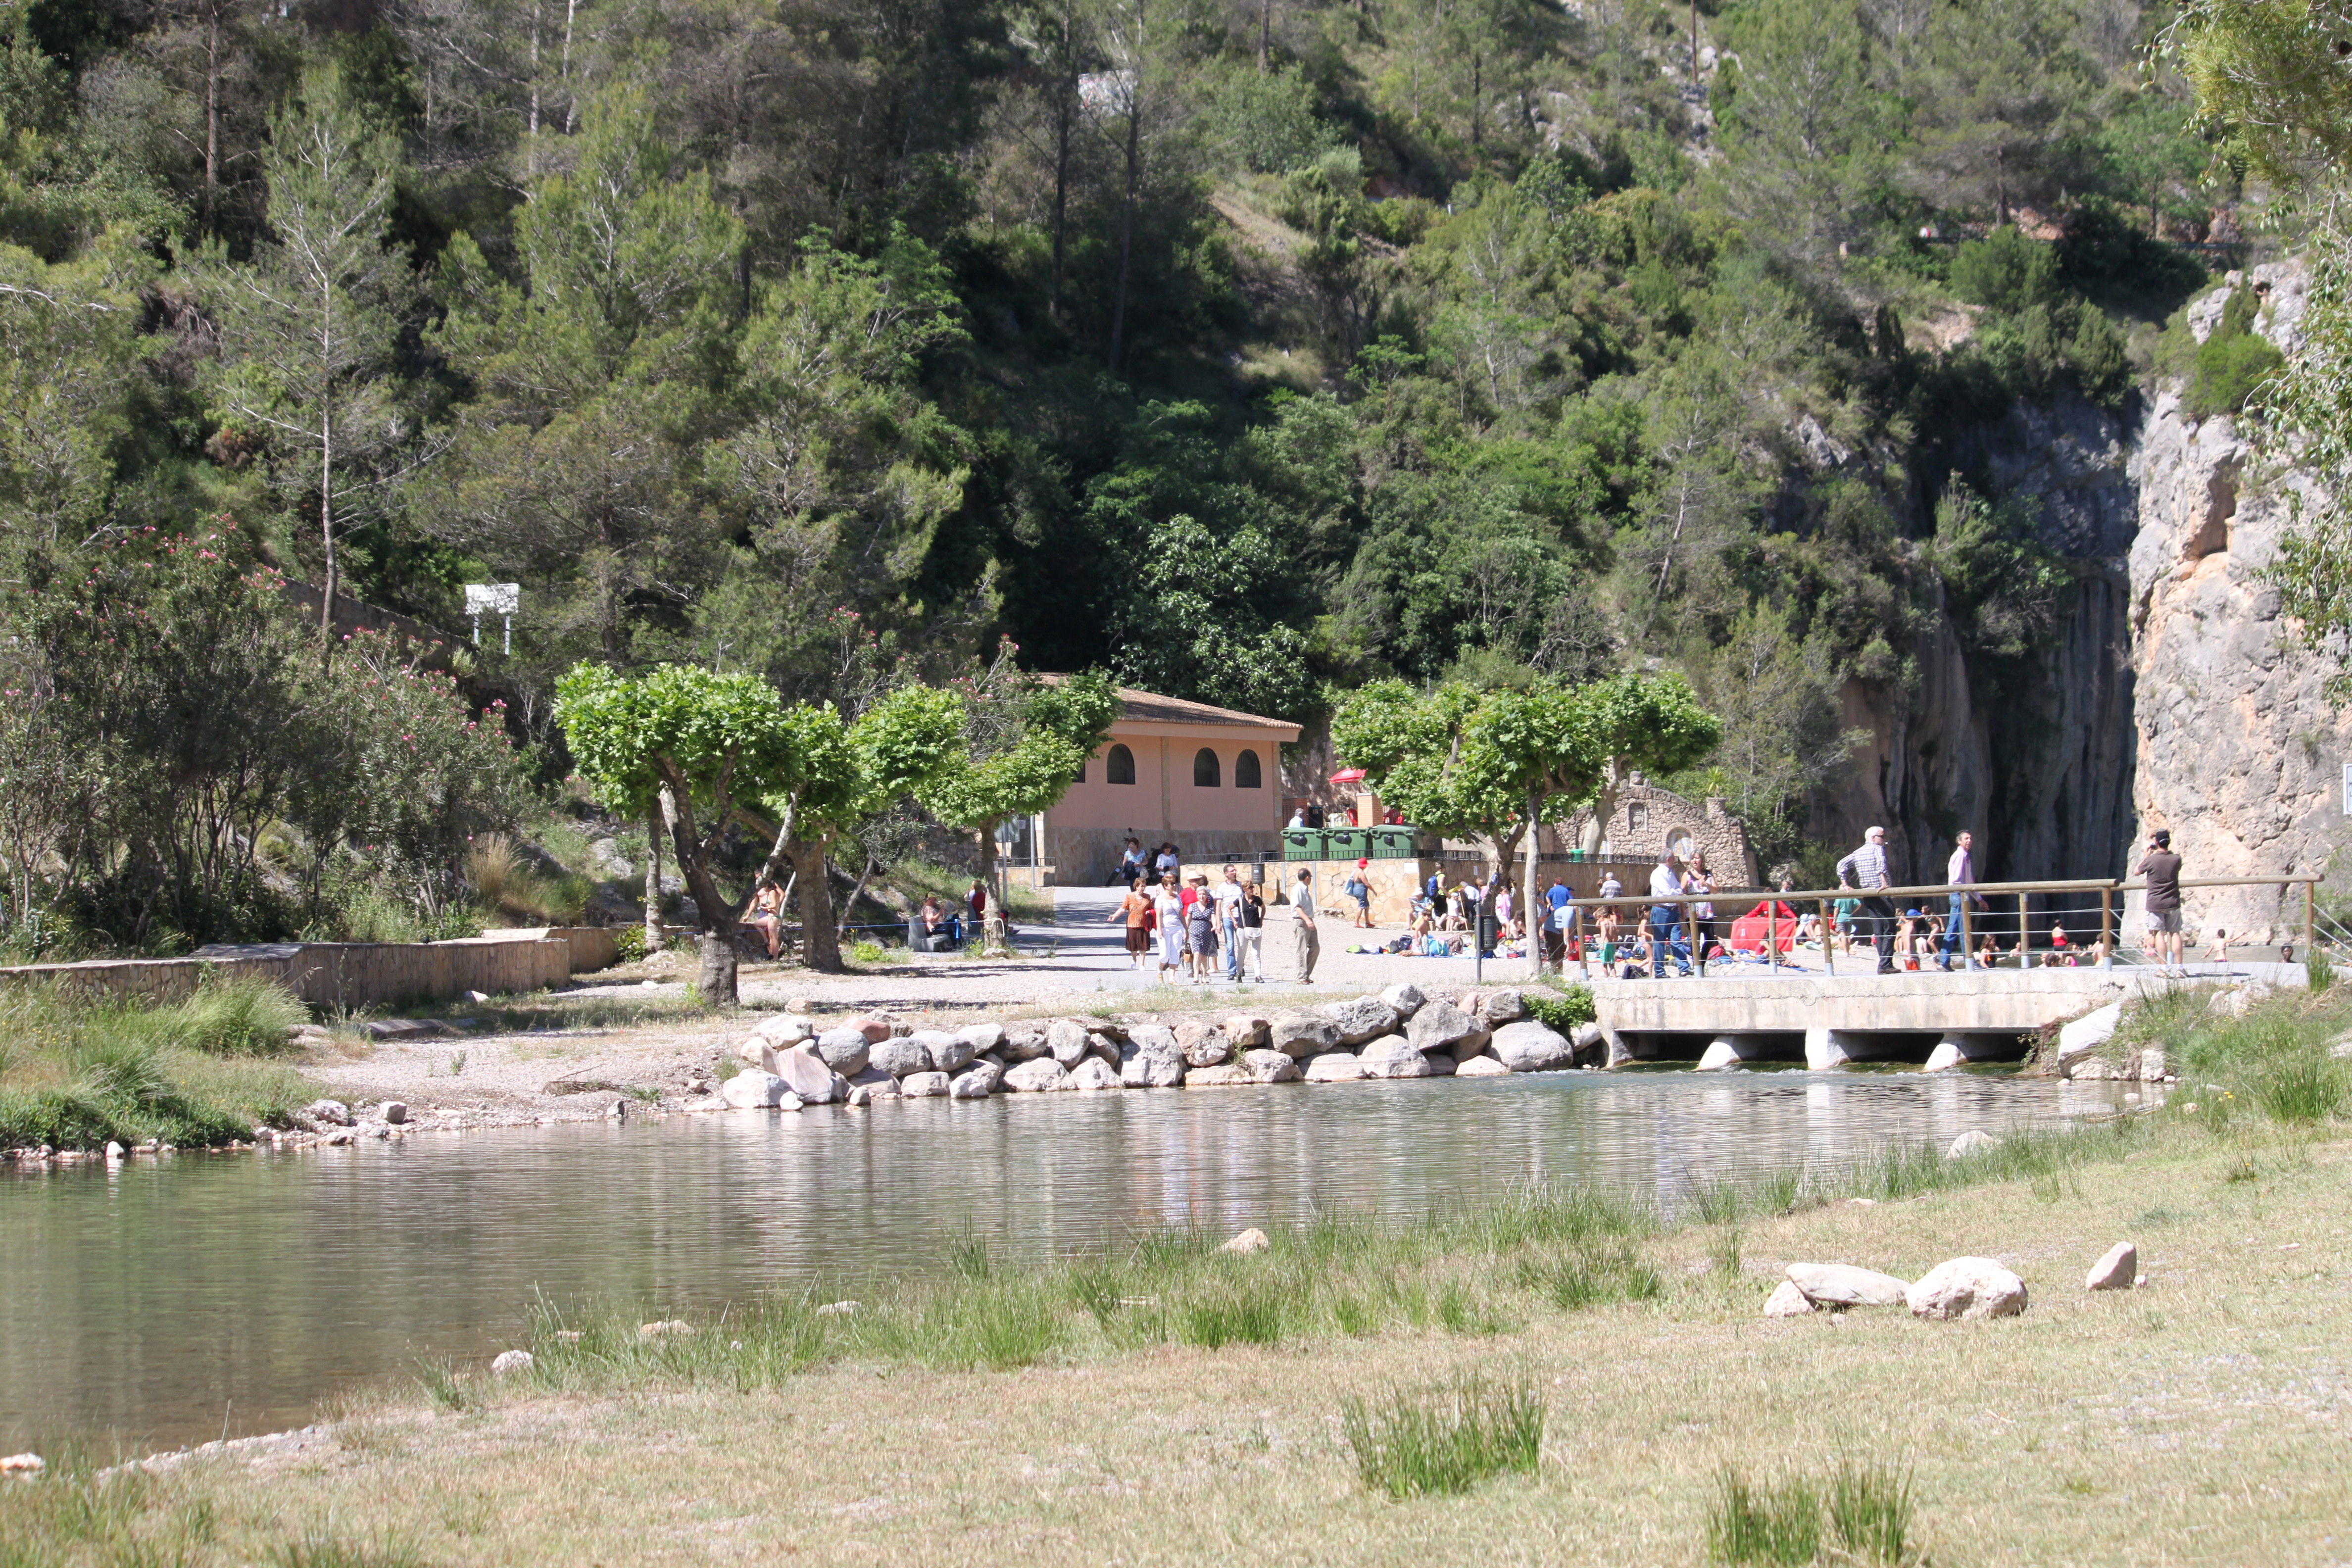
(1208, 779)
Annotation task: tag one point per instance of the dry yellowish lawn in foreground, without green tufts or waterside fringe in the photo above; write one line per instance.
(2196, 1421)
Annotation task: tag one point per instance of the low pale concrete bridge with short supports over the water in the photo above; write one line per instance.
(1826, 1021)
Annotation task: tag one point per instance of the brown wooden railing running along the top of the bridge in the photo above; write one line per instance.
(1937, 902)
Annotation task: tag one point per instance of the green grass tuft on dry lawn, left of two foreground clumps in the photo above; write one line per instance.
(1445, 1438)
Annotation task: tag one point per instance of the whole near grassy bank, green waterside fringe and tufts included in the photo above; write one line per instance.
(1528, 1379)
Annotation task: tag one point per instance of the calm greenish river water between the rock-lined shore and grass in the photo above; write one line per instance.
(166, 1304)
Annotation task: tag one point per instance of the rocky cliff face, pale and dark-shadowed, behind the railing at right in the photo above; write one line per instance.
(2170, 695)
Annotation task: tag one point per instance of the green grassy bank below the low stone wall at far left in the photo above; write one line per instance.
(81, 1073)
